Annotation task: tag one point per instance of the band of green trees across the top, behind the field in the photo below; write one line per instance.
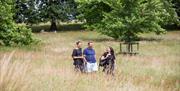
(120, 19)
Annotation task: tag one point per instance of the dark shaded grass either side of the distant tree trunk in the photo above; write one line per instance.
(64, 27)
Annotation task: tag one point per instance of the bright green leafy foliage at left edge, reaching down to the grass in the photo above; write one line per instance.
(10, 33)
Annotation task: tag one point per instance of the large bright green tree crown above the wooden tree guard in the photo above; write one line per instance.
(128, 18)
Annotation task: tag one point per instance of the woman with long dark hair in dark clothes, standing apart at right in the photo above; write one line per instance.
(107, 61)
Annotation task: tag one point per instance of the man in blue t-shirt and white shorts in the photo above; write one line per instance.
(90, 58)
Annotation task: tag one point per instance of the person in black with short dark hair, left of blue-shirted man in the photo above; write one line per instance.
(78, 57)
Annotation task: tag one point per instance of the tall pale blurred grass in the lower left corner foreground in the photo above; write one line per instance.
(13, 75)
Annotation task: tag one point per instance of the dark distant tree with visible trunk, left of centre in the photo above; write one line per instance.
(35, 11)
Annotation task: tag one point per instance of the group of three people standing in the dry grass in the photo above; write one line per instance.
(85, 60)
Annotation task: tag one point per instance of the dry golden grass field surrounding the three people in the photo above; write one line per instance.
(48, 66)
